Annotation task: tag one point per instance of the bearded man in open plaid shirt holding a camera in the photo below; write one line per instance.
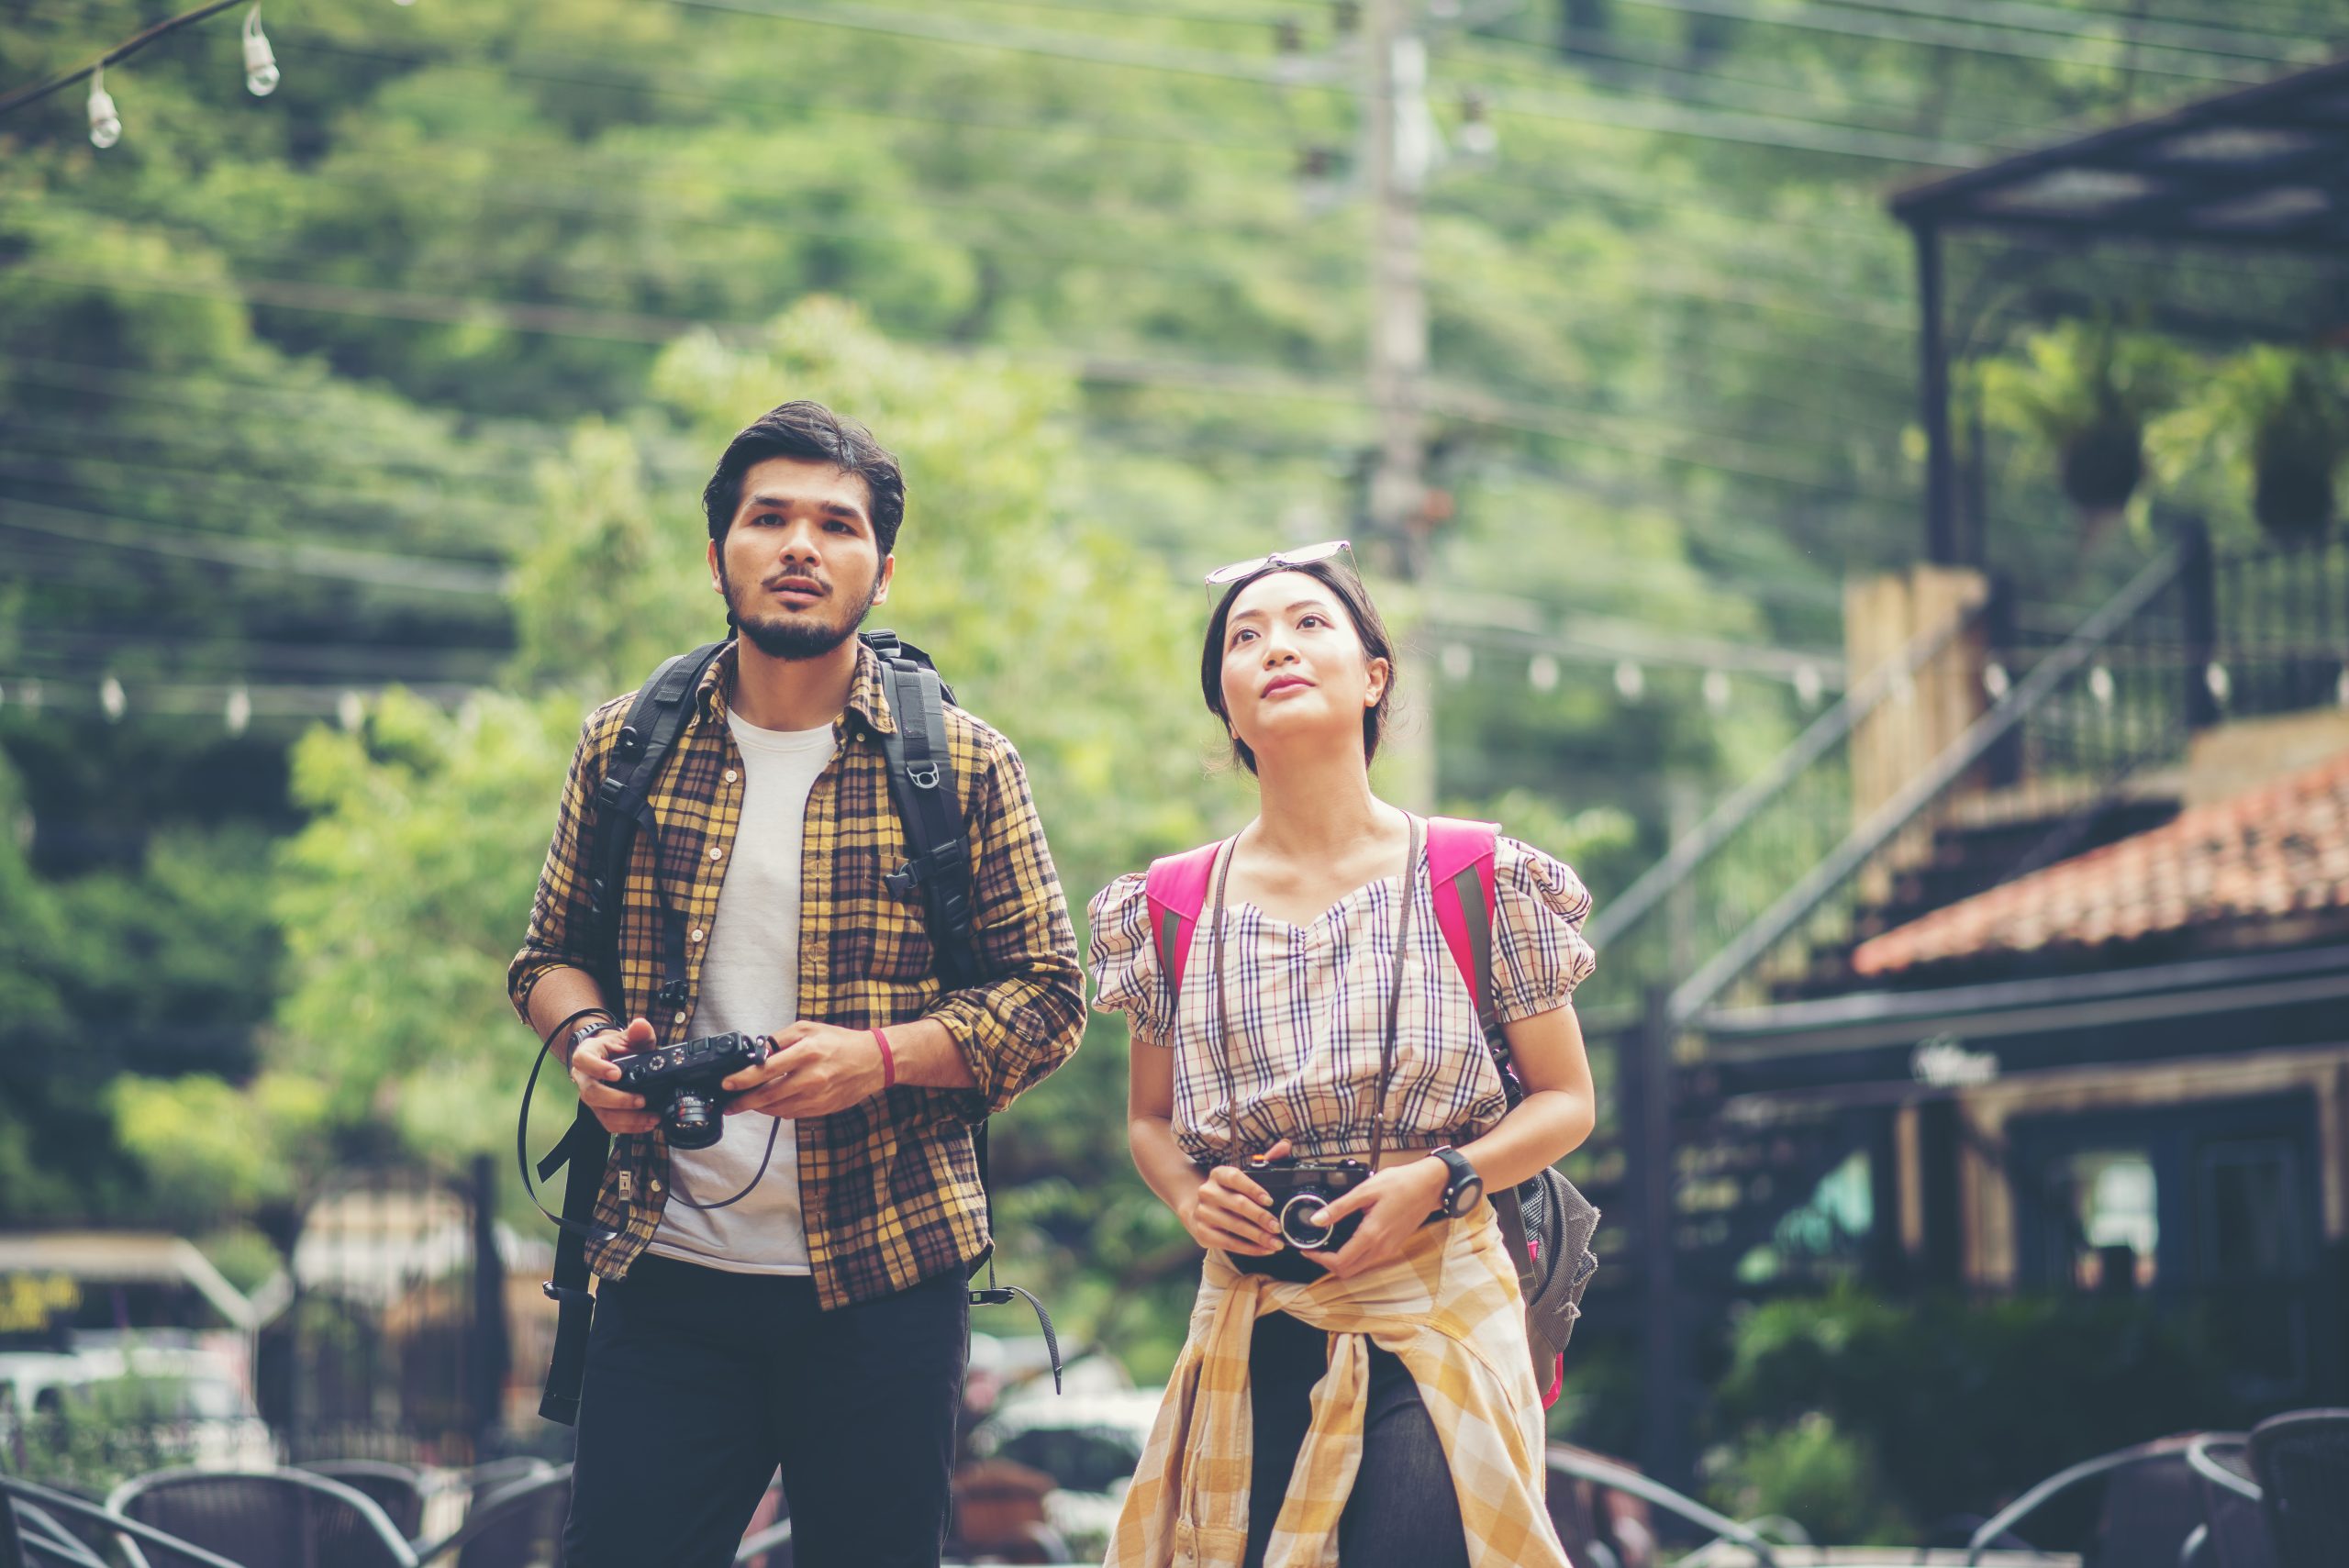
(819, 1323)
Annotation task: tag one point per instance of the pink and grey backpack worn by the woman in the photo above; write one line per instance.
(1544, 1219)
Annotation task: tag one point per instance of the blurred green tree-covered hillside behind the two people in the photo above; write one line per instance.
(412, 372)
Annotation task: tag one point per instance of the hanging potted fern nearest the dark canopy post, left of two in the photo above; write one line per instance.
(2085, 391)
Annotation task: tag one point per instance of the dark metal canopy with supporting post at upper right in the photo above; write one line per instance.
(2263, 168)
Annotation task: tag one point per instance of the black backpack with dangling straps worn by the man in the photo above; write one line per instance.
(931, 811)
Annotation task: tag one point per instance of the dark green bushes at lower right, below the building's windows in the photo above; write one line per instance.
(1927, 1391)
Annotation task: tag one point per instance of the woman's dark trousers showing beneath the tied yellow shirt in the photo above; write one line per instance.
(1401, 1510)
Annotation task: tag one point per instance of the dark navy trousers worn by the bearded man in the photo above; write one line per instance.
(701, 1386)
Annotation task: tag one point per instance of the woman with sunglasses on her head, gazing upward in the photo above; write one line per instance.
(1368, 1403)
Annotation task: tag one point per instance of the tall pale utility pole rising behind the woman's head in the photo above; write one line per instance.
(1399, 142)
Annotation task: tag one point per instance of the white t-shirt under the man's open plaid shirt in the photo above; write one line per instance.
(751, 982)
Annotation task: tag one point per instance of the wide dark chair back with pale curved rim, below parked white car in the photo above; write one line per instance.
(267, 1518)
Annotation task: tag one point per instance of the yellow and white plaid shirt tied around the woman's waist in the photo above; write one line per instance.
(1451, 1311)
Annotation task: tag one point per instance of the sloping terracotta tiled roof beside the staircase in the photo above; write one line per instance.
(2261, 858)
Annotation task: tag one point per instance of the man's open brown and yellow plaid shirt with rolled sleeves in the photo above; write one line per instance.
(889, 1187)
